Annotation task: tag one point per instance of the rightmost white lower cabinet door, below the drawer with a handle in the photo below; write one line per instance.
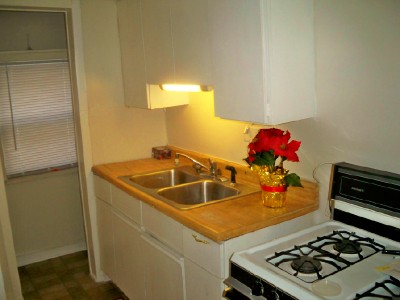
(200, 284)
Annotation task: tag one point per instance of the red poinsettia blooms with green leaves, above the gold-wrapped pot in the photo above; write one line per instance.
(270, 148)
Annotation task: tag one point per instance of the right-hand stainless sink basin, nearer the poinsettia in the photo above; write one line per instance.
(198, 193)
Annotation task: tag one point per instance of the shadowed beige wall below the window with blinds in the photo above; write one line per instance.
(46, 216)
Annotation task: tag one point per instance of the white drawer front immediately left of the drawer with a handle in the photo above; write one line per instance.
(162, 227)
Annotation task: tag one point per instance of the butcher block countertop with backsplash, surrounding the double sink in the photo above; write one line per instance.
(223, 220)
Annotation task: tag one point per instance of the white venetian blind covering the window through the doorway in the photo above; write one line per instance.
(36, 118)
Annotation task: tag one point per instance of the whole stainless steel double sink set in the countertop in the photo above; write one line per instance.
(183, 188)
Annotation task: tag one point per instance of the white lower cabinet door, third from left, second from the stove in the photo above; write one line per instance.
(164, 271)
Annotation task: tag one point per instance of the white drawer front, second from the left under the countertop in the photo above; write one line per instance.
(126, 204)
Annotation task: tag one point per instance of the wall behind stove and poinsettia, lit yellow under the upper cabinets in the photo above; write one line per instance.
(358, 98)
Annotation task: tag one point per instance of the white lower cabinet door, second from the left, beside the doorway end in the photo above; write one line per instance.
(129, 258)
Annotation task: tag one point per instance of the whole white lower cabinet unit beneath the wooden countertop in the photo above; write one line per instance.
(151, 256)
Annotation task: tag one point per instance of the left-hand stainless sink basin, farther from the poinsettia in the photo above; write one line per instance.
(162, 179)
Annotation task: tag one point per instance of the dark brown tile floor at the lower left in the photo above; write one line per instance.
(65, 277)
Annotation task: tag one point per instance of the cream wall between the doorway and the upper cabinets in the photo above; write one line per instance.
(117, 133)
